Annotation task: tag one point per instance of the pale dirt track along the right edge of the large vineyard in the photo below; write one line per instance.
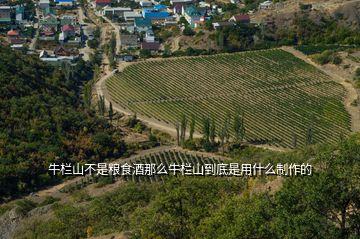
(336, 75)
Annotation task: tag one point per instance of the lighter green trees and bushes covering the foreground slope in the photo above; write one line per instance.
(324, 205)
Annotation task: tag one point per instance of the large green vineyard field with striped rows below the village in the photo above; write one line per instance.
(281, 96)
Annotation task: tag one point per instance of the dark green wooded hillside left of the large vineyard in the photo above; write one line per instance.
(42, 121)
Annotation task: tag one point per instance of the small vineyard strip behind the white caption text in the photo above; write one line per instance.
(165, 158)
